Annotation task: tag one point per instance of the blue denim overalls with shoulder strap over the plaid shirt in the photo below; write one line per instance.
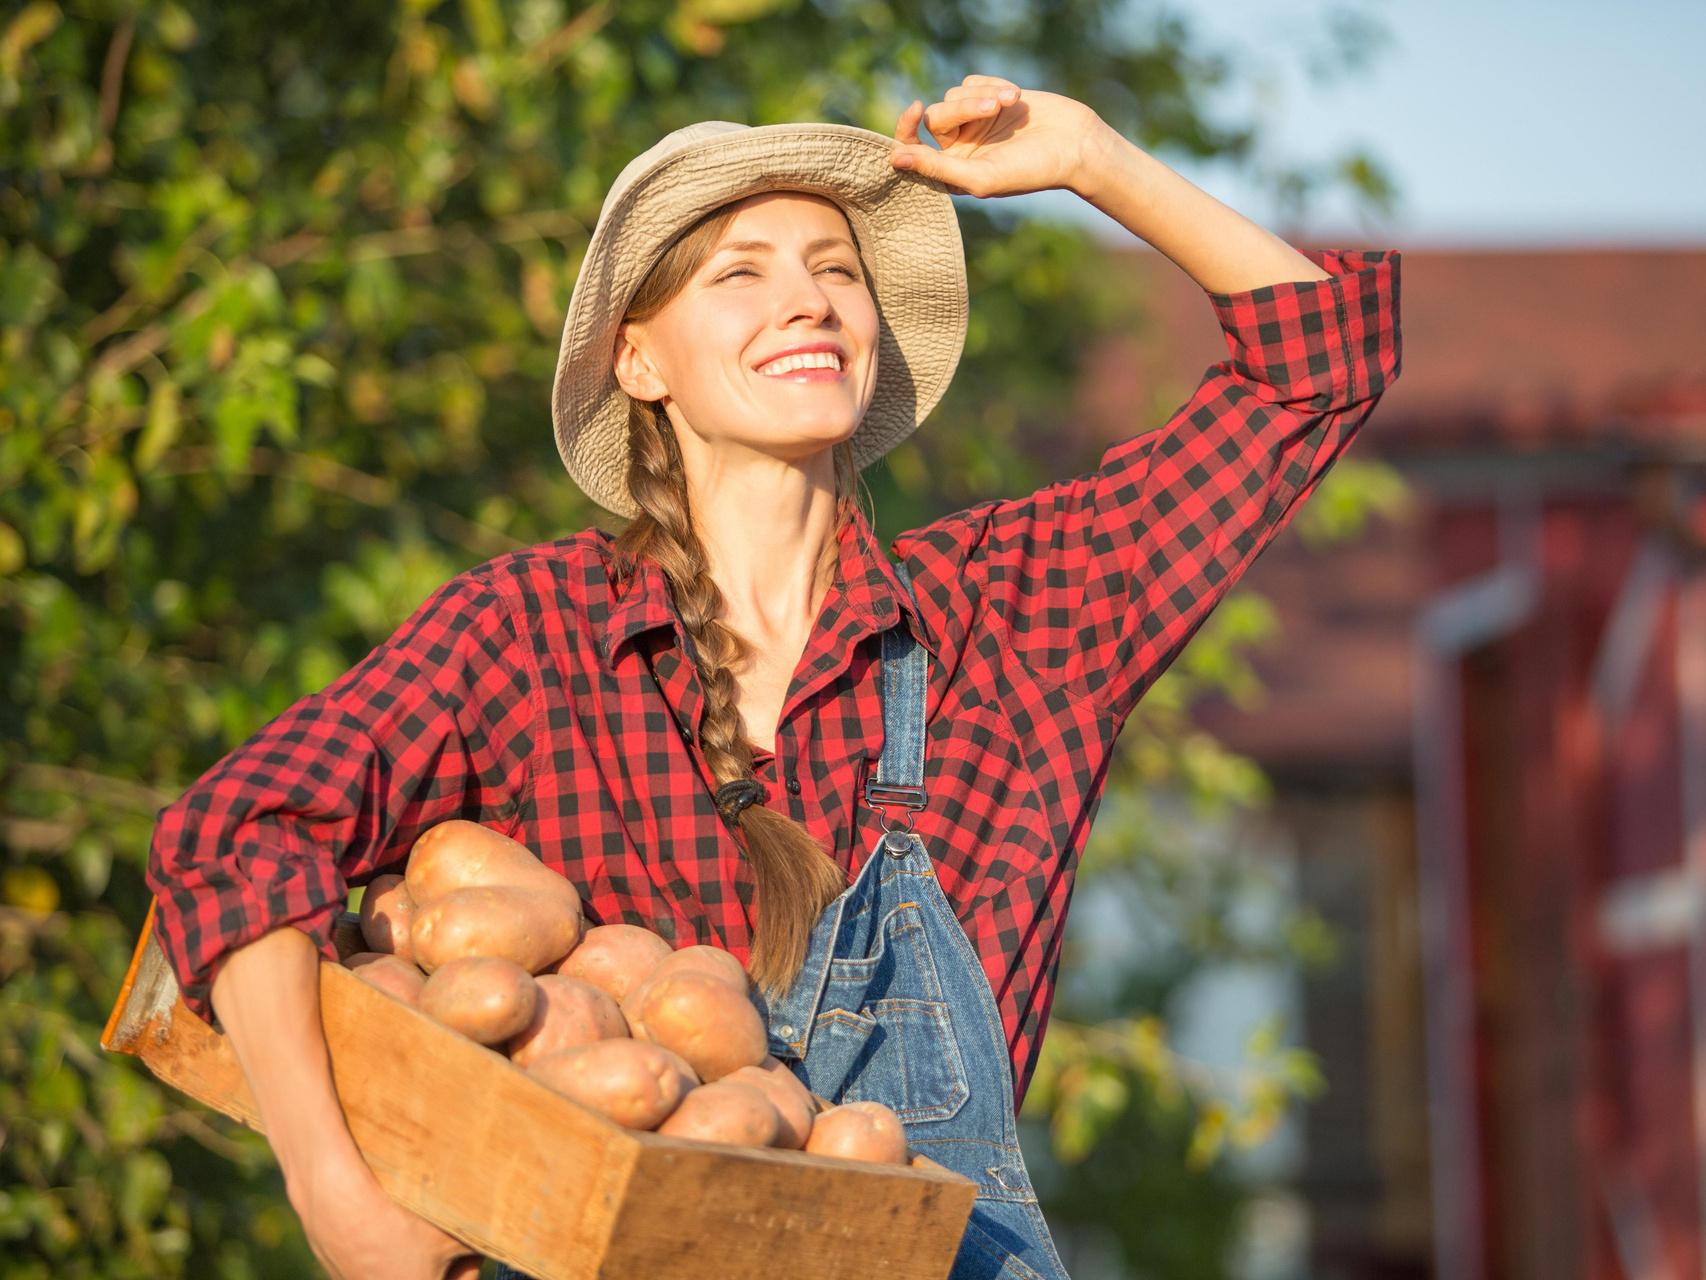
(893, 1006)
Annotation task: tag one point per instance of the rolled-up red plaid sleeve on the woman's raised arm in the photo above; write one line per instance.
(1098, 583)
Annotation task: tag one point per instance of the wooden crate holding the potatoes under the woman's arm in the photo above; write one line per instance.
(468, 1141)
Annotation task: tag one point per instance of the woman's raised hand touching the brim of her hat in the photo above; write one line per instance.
(999, 141)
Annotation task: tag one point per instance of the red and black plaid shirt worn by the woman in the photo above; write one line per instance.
(530, 695)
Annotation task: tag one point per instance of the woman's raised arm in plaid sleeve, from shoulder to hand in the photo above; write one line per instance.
(1098, 583)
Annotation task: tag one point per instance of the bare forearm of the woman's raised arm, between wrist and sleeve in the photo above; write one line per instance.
(1212, 243)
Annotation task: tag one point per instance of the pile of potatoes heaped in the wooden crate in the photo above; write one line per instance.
(484, 938)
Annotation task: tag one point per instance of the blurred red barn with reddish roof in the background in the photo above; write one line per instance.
(1488, 730)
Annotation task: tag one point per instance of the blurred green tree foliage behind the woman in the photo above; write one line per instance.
(281, 300)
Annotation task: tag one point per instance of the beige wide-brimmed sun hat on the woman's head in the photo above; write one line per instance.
(905, 228)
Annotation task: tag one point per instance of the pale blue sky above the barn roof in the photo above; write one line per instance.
(1502, 124)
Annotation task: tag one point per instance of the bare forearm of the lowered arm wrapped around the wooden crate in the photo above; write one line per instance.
(267, 998)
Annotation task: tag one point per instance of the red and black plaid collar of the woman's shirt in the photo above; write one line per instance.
(866, 585)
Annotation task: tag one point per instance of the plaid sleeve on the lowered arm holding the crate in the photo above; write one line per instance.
(438, 723)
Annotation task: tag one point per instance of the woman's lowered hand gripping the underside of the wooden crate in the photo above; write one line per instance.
(359, 1233)
